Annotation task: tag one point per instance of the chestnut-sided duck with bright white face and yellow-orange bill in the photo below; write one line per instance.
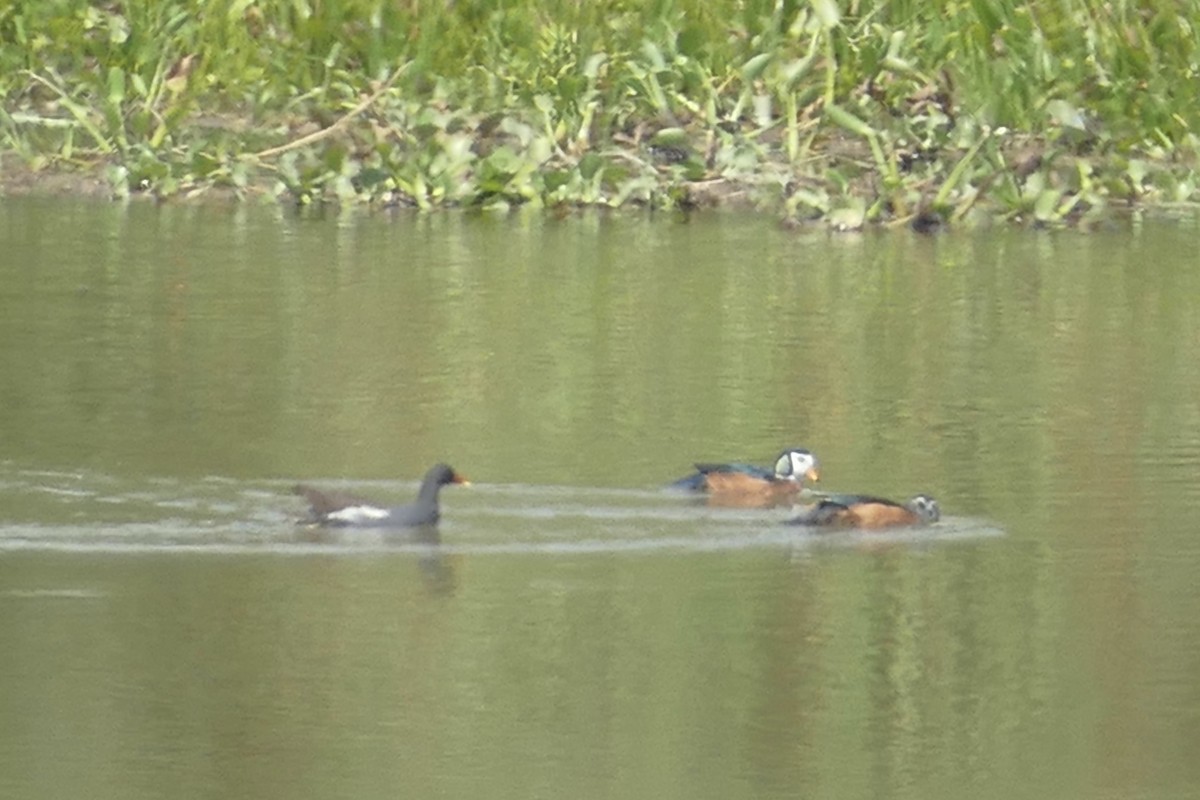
(739, 484)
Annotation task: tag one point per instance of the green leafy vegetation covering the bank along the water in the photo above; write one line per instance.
(851, 113)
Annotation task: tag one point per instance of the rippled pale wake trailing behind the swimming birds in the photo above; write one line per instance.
(99, 514)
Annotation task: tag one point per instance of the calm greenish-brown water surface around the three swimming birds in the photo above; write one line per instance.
(166, 630)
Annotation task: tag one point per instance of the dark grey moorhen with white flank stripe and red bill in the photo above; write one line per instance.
(338, 509)
